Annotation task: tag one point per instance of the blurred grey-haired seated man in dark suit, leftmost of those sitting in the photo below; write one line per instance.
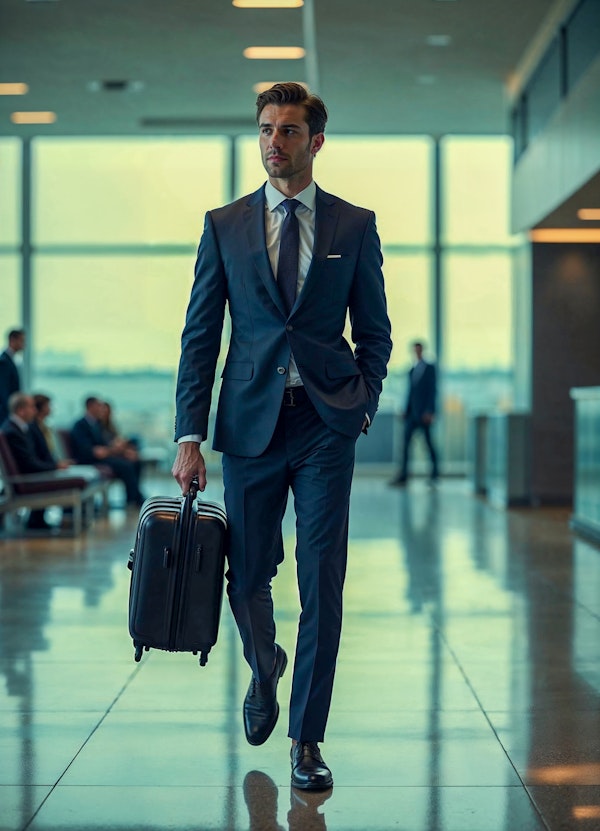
(18, 431)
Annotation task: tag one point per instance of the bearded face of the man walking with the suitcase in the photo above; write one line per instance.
(286, 147)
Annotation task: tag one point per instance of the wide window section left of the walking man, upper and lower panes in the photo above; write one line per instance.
(116, 226)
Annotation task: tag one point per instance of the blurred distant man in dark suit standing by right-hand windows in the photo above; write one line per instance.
(419, 412)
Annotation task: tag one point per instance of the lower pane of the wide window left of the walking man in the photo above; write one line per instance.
(110, 326)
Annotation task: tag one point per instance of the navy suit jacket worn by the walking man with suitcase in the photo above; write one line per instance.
(233, 269)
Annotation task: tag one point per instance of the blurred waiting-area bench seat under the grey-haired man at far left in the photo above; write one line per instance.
(76, 487)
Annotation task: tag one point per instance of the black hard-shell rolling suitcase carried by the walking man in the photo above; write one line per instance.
(177, 571)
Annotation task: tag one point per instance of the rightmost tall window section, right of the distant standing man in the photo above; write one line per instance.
(477, 264)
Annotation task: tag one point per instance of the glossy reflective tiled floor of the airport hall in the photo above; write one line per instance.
(467, 695)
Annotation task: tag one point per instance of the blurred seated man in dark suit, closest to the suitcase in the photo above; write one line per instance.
(90, 447)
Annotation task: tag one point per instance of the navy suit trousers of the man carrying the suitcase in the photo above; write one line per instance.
(317, 464)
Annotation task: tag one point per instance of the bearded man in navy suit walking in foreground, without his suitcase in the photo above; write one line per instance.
(294, 398)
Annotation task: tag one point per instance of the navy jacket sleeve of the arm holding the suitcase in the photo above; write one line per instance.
(201, 337)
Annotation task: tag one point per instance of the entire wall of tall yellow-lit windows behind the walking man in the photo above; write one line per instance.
(115, 228)
